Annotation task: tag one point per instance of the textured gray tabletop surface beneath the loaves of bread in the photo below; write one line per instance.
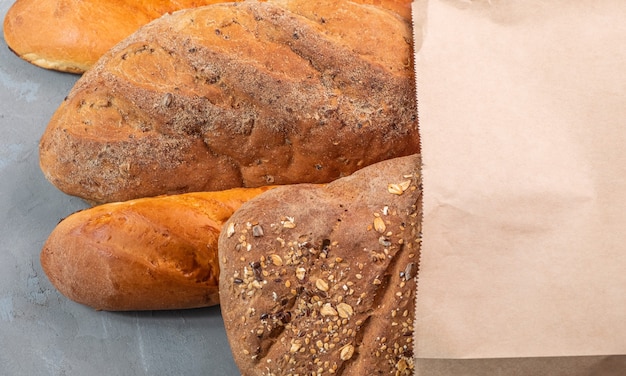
(41, 332)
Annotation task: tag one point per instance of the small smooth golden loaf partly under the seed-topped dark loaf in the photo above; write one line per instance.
(146, 254)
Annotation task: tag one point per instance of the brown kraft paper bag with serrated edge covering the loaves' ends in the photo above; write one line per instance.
(522, 110)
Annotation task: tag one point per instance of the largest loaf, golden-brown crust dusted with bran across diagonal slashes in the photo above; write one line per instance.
(237, 95)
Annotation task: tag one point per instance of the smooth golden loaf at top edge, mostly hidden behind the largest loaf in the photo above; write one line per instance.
(71, 35)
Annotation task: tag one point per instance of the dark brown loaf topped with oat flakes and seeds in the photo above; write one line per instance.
(322, 279)
